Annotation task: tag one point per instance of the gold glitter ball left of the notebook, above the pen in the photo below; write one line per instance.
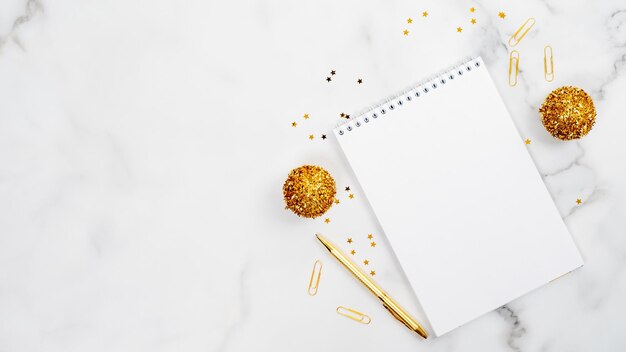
(309, 191)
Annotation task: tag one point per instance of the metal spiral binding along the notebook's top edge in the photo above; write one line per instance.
(425, 86)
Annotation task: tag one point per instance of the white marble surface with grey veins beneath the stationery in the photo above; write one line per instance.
(143, 146)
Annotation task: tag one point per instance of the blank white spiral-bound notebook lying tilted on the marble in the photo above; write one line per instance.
(458, 196)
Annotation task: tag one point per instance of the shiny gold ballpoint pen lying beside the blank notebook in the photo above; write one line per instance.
(388, 303)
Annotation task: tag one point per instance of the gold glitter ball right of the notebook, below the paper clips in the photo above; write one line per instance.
(568, 113)
